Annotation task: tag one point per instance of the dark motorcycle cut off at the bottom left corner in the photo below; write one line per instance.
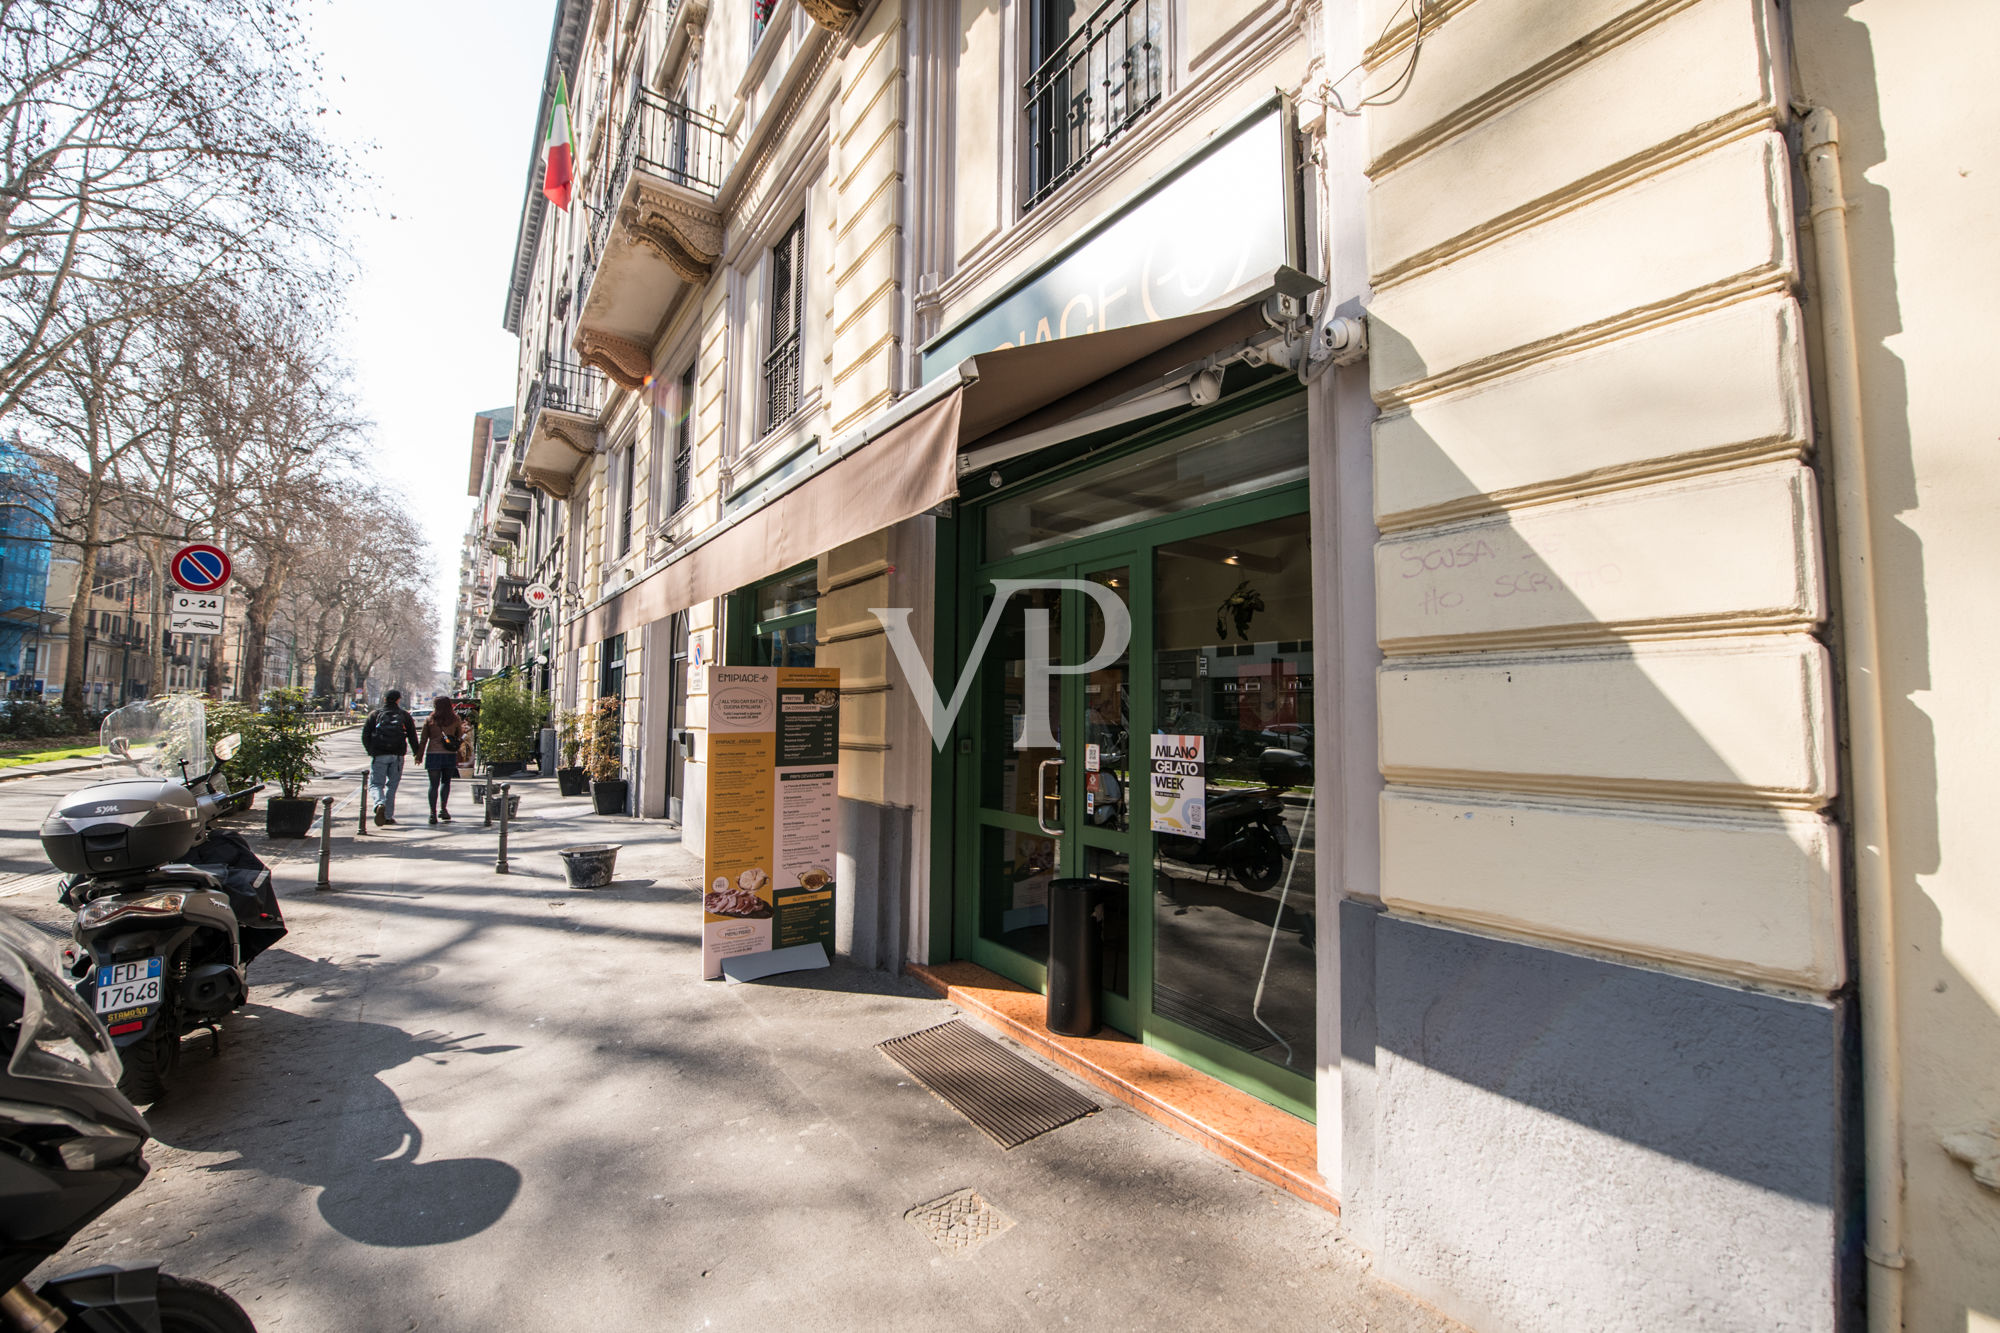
(69, 1152)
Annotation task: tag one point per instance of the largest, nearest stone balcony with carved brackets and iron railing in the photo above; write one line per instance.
(655, 229)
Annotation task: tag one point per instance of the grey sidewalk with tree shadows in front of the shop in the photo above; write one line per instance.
(487, 1102)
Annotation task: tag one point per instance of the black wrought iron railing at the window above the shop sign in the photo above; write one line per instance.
(1091, 89)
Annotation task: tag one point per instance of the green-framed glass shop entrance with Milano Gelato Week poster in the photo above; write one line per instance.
(1205, 543)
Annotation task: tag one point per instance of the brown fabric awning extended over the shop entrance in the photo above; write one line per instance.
(991, 407)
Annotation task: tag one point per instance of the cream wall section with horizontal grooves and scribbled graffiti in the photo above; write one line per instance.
(1605, 714)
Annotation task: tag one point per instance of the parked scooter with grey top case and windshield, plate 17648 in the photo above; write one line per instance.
(169, 910)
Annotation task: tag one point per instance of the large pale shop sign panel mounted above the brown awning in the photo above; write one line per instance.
(1187, 241)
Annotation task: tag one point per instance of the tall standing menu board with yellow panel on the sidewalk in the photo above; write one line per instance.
(773, 812)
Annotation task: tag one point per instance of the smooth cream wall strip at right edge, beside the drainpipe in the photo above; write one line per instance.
(1923, 185)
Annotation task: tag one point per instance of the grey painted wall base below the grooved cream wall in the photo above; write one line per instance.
(1563, 1144)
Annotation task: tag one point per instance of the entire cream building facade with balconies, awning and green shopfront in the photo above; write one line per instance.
(1483, 439)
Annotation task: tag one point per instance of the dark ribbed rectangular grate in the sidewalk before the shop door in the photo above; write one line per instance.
(993, 1088)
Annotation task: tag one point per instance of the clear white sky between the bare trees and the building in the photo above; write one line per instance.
(439, 105)
